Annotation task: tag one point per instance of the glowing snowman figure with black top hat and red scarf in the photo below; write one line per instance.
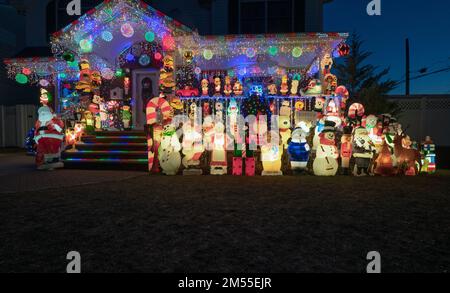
(326, 163)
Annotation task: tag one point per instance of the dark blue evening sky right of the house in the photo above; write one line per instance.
(425, 22)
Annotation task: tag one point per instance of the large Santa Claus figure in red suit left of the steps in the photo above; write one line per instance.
(49, 135)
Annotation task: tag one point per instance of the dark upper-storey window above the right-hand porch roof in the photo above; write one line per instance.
(266, 16)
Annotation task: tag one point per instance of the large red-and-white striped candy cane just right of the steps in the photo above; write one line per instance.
(155, 104)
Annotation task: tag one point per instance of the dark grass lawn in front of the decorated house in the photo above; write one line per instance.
(231, 224)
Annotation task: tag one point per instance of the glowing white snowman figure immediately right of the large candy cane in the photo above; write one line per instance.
(169, 151)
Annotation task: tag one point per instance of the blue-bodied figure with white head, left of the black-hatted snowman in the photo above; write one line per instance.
(299, 149)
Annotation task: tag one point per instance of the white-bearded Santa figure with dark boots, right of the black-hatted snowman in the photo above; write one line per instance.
(363, 150)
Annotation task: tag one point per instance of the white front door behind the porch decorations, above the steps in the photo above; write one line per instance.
(145, 87)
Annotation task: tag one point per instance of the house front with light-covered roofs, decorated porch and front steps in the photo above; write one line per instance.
(110, 62)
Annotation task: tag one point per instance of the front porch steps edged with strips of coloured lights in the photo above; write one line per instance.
(109, 150)
